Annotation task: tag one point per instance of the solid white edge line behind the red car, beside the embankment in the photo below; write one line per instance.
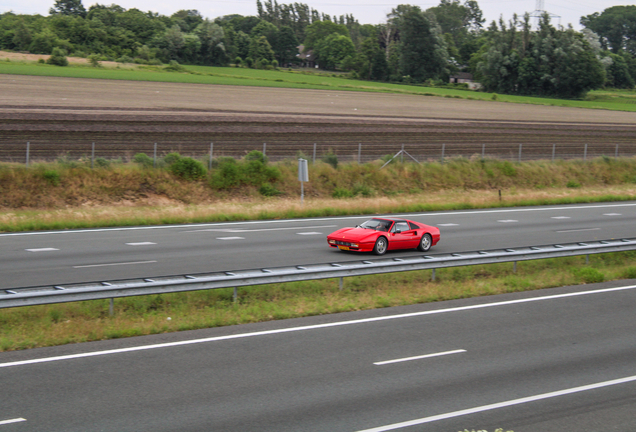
(278, 221)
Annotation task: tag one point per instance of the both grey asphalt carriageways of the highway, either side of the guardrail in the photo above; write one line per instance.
(558, 359)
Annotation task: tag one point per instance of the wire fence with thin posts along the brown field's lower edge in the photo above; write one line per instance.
(94, 152)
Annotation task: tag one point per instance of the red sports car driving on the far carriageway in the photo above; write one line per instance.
(378, 235)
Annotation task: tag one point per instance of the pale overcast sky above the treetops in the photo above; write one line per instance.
(564, 12)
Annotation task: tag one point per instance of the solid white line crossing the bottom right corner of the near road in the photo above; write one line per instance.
(501, 405)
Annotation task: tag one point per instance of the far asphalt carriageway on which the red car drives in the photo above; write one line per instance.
(63, 257)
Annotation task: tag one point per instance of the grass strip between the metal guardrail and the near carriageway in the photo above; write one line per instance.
(39, 326)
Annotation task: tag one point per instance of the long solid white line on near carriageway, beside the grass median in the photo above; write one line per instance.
(316, 326)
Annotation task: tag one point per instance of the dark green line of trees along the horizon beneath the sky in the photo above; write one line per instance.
(413, 46)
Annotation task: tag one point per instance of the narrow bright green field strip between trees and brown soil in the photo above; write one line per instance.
(601, 99)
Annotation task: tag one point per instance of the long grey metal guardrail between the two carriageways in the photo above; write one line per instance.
(31, 296)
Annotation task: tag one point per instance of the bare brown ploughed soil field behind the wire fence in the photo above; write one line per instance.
(64, 116)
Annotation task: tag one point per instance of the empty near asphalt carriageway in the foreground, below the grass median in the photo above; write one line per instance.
(552, 360)
